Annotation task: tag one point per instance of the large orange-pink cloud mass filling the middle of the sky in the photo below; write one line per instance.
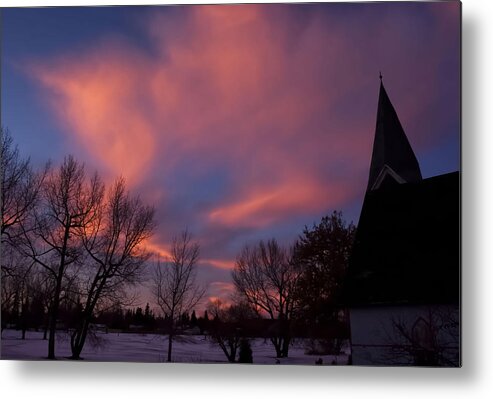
(235, 90)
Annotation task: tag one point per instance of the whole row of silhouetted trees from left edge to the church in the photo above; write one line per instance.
(72, 247)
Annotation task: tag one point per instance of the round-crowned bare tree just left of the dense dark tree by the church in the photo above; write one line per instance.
(266, 278)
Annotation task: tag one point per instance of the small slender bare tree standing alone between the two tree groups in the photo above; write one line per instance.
(174, 283)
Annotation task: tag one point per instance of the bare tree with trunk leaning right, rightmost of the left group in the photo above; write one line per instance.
(114, 242)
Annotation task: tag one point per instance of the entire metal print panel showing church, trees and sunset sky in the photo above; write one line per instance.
(260, 184)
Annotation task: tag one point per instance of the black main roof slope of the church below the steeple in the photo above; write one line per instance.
(407, 245)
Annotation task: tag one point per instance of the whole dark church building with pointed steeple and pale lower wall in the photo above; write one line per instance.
(402, 288)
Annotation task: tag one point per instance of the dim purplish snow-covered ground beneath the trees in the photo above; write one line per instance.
(150, 348)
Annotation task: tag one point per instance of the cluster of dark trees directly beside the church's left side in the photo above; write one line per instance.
(291, 292)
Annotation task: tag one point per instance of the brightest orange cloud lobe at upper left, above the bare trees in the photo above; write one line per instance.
(97, 99)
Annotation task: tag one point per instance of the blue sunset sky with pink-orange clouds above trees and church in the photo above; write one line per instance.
(237, 122)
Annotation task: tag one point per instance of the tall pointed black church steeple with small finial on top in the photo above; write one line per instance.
(393, 159)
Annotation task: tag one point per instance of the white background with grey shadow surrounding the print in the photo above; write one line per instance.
(474, 380)
